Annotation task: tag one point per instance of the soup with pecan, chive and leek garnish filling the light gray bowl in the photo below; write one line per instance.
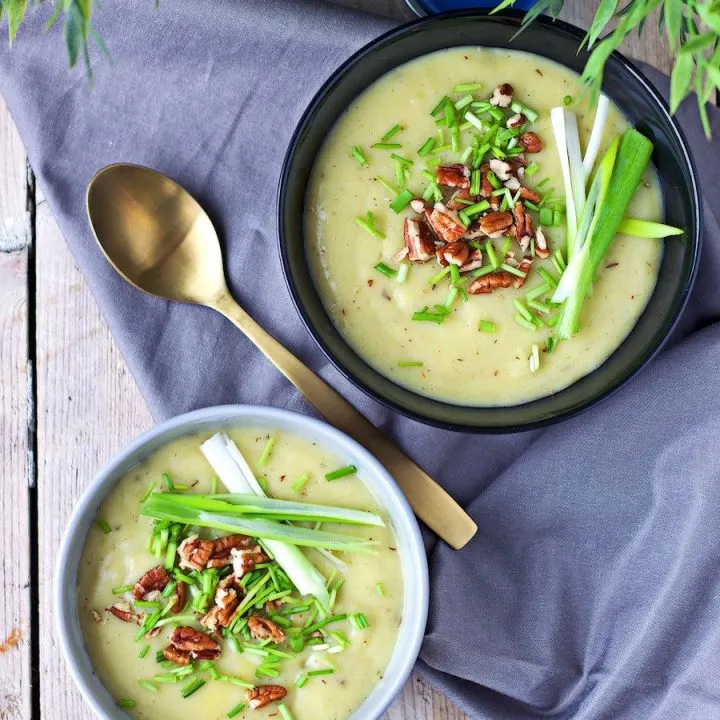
(280, 600)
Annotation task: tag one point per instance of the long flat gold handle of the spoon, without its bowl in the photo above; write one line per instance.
(429, 501)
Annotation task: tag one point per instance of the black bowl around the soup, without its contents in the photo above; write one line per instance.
(624, 84)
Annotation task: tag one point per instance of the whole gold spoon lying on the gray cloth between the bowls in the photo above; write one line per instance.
(156, 235)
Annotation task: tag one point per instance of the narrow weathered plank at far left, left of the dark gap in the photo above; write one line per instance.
(14, 457)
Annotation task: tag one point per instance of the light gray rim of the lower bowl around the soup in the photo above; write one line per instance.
(414, 560)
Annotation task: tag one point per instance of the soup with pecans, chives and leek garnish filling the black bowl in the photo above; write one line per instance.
(467, 227)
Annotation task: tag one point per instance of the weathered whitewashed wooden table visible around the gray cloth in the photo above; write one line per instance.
(69, 403)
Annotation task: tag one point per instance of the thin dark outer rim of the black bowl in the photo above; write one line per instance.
(651, 351)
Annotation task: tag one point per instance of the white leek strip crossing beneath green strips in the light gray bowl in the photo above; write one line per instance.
(237, 477)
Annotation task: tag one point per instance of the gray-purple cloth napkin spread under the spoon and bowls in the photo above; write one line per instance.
(593, 587)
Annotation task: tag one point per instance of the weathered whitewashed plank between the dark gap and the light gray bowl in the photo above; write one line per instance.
(88, 408)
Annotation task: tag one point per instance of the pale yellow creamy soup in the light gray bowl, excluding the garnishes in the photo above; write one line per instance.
(372, 587)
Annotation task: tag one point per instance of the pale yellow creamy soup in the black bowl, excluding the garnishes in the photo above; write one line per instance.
(455, 361)
